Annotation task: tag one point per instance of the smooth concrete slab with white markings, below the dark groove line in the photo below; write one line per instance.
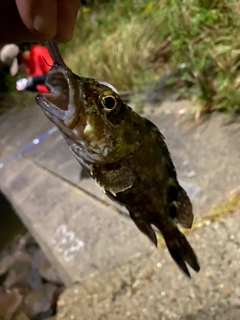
(81, 236)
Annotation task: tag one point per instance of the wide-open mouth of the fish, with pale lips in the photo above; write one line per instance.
(65, 99)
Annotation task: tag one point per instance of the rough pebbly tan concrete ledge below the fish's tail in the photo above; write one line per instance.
(150, 287)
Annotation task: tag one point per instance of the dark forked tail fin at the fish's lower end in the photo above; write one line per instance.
(180, 250)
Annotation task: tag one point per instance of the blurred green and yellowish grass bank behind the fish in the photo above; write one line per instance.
(131, 43)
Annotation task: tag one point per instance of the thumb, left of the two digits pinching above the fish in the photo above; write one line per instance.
(39, 16)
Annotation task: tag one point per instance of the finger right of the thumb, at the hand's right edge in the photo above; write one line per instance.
(66, 18)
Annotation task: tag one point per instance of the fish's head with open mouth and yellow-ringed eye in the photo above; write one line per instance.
(90, 114)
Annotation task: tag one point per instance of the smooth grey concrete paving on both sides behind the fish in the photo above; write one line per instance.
(79, 229)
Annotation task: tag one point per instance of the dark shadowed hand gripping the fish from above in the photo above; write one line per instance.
(35, 20)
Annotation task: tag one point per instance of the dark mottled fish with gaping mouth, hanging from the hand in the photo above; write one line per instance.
(124, 153)
